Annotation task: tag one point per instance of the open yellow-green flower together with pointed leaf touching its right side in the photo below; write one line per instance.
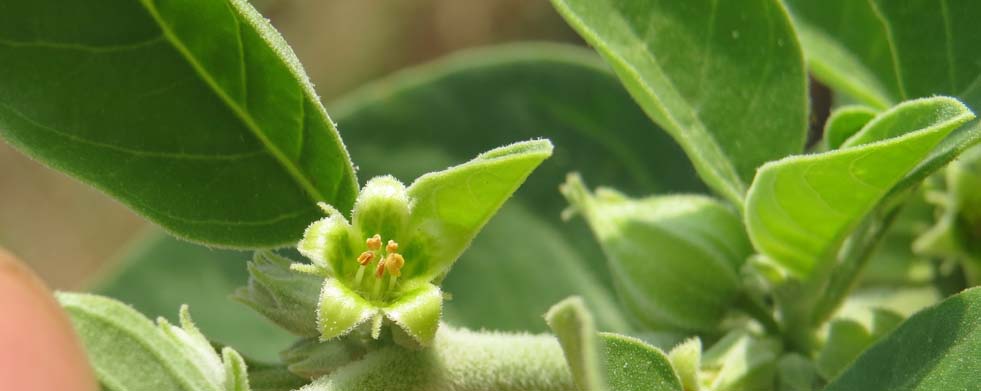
(384, 265)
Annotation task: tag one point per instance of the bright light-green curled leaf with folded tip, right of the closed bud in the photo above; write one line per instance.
(800, 209)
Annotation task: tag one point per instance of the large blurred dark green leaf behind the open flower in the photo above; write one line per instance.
(430, 117)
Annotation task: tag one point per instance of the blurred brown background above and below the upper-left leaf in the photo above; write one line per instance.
(71, 234)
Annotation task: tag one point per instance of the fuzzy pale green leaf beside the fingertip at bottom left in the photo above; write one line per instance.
(128, 353)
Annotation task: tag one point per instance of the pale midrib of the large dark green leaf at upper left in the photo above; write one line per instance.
(294, 171)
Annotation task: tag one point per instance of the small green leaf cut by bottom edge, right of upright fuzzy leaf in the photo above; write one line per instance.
(633, 365)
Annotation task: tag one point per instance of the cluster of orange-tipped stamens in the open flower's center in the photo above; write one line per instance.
(389, 261)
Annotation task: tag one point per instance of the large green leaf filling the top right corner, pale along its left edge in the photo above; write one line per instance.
(881, 52)
